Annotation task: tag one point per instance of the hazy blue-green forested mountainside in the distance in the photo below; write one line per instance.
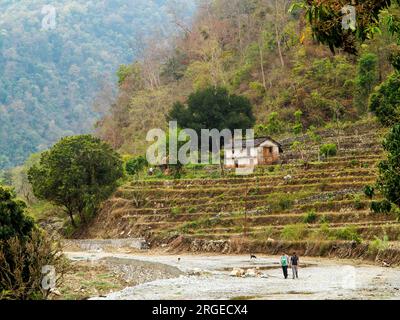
(49, 78)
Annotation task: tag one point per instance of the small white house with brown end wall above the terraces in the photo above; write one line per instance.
(264, 151)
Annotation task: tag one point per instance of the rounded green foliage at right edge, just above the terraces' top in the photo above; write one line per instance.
(385, 101)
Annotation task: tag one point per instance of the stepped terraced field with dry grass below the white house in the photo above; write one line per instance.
(320, 210)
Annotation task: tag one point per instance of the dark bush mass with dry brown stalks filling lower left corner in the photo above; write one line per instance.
(24, 250)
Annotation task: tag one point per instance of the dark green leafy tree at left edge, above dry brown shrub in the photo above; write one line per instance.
(13, 221)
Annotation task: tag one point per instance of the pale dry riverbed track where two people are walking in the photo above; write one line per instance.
(208, 277)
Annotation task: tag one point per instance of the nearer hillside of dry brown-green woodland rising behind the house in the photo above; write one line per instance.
(256, 48)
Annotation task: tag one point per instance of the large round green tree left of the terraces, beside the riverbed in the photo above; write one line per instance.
(78, 173)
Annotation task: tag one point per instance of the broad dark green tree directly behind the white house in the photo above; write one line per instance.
(213, 108)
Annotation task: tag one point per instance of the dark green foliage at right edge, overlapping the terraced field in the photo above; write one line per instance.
(389, 172)
